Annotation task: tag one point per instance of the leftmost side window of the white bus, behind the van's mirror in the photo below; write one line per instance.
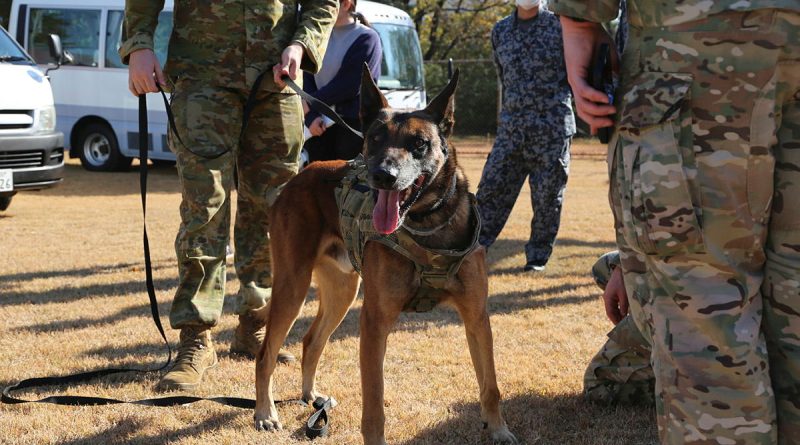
(79, 30)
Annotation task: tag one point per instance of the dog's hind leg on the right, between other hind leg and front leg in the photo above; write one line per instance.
(337, 291)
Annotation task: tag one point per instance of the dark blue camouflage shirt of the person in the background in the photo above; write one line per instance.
(530, 62)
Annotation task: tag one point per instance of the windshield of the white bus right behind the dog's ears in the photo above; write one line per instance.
(401, 67)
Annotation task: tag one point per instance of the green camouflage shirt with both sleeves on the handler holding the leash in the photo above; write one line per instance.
(230, 42)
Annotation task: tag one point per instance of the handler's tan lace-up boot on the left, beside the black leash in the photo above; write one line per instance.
(195, 356)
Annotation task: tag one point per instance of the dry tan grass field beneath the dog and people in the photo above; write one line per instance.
(72, 298)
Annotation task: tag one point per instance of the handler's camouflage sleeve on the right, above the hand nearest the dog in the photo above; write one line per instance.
(314, 30)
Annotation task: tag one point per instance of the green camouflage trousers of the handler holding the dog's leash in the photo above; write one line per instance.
(212, 145)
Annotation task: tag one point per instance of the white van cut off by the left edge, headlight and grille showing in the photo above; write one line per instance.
(31, 150)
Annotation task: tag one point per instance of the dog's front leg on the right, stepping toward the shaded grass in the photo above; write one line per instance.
(472, 308)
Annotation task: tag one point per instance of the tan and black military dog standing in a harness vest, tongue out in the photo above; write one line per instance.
(419, 248)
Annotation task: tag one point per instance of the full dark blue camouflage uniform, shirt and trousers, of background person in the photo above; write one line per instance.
(534, 133)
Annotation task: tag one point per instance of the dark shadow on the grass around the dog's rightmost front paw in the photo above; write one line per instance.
(561, 420)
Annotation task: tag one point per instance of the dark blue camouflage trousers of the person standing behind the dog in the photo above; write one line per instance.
(517, 154)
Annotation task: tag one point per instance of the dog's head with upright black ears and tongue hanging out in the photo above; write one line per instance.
(404, 151)
